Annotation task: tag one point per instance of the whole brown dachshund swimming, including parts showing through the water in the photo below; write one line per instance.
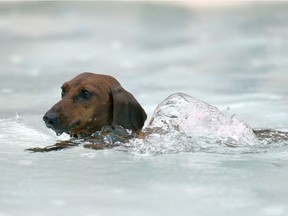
(97, 109)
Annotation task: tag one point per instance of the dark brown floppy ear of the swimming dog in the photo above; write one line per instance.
(127, 112)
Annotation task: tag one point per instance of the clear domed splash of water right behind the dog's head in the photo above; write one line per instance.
(182, 123)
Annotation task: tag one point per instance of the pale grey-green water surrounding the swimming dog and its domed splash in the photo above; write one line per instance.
(234, 58)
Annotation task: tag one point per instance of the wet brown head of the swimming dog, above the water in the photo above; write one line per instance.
(90, 102)
